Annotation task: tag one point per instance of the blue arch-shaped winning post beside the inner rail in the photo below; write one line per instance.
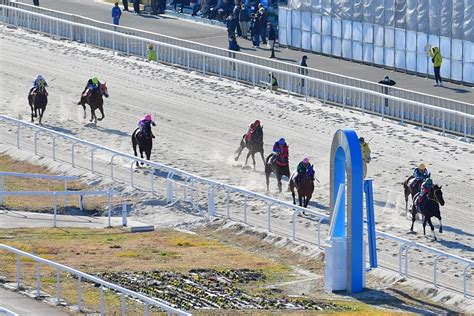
(346, 159)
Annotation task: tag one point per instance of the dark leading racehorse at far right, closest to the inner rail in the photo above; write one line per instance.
(428, 209)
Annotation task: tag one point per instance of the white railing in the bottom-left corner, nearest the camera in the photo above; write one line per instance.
(124, 293)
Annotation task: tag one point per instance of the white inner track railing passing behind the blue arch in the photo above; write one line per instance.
(210, 188)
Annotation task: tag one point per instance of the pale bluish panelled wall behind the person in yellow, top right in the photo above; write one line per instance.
(391, 33)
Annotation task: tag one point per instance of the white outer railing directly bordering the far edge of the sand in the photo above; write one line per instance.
(374, 102)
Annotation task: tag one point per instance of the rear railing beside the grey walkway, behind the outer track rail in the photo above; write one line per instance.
(274, 64)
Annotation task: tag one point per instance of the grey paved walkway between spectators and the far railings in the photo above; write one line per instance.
(217, 36)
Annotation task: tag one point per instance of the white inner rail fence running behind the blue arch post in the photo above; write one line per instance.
(253, 209)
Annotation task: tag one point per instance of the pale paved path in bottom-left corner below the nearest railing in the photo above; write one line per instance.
(23, 305)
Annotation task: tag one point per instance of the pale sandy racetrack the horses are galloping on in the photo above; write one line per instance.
(200, 121)
